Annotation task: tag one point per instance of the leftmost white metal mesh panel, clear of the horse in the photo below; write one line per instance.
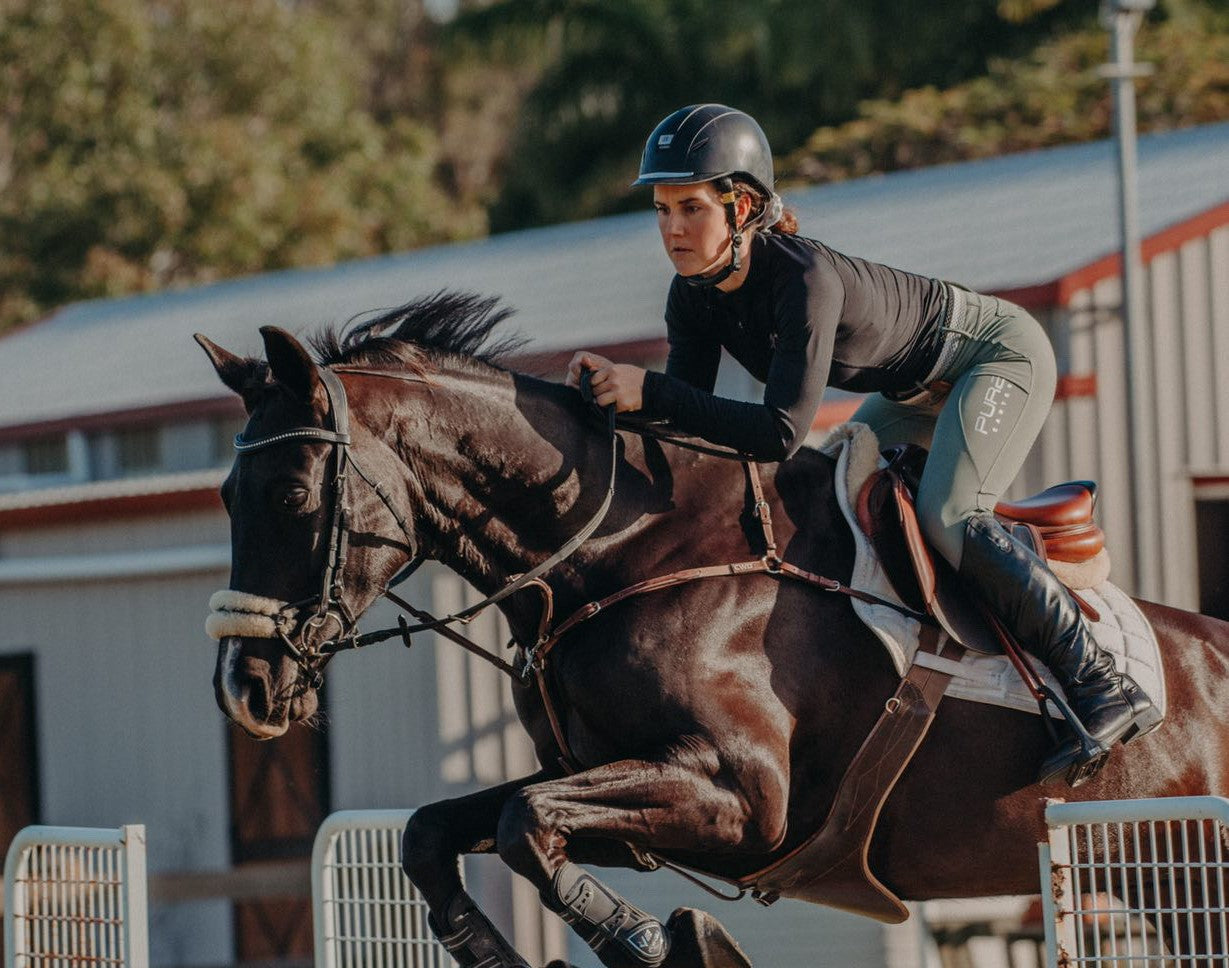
(77, 896)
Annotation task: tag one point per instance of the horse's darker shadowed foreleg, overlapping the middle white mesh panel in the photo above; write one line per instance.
(432, 847)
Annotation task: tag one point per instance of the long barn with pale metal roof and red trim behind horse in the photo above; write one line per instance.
(115, 434)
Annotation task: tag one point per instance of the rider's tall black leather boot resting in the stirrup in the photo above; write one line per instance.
(1039, 610)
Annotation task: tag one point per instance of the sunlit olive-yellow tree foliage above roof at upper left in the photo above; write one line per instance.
(152, 143)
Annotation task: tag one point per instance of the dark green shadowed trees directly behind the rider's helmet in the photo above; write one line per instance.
(611, 71)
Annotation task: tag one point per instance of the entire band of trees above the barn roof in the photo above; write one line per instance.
(157, 143)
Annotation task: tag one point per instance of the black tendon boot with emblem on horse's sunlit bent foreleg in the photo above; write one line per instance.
(604, 918)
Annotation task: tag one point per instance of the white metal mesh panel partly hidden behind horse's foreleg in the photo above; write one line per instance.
(366, 911)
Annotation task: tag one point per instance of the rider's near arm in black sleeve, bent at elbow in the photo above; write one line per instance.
(807, 313)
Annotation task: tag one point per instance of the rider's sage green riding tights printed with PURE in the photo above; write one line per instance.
(1001, 368)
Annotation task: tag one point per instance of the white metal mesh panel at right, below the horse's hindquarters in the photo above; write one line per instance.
(1137, 884)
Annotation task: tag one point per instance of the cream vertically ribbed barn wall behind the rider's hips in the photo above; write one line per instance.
(1187, 395)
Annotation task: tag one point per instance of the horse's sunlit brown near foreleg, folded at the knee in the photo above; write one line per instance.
(647, 804)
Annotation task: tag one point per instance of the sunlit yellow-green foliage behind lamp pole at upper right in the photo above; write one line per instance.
(1054, 96)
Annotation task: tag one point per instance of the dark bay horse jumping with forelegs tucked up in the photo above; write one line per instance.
(711, 722)
